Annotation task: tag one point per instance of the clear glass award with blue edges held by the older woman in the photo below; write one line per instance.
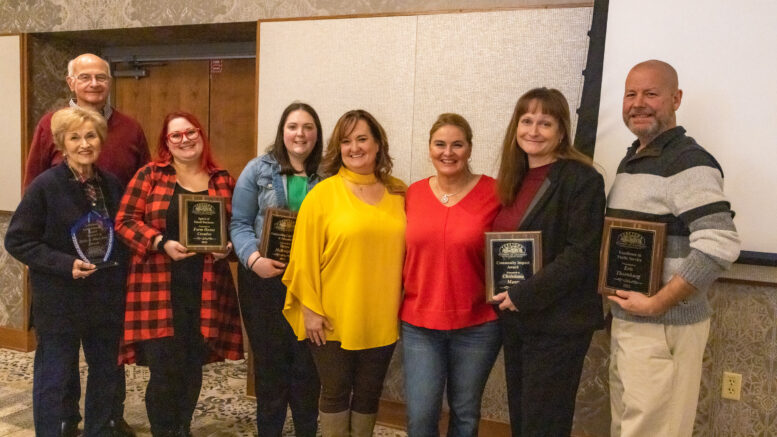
(93, 238)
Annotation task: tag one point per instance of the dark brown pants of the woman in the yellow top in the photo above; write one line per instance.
(351, 380)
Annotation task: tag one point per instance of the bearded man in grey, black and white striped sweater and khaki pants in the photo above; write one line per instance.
(658, 342)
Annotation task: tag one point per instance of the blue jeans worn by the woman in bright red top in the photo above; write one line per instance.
(460, 358)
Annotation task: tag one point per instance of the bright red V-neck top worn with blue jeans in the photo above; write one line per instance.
(444, 273)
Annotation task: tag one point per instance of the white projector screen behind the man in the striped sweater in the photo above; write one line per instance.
(726, 56)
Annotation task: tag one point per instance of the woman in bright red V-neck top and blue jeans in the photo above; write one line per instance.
(449, 333)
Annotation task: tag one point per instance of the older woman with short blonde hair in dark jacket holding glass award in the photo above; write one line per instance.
(73, 302)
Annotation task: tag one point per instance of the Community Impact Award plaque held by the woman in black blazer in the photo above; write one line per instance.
(511, 257)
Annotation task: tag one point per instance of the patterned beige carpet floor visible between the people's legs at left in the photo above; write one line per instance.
(223, 409)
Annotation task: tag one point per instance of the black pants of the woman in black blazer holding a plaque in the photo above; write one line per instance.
(542, 373)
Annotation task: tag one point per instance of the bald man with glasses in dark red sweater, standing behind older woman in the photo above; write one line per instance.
(124, 151)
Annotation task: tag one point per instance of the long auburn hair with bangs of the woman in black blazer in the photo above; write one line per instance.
(514, 162)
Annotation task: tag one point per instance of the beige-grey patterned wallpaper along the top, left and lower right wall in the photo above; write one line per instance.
(743, 336)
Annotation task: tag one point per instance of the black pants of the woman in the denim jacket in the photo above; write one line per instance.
(284, 372)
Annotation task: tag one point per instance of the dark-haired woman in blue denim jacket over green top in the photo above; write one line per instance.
(284, 372)
